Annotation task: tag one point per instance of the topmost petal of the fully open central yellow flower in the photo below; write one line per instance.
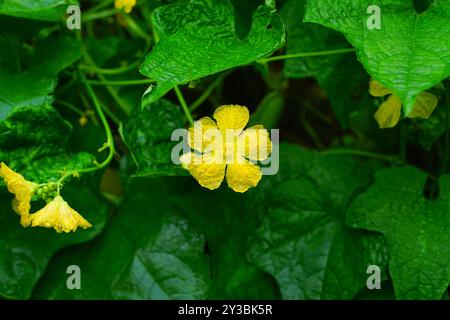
(231, 117)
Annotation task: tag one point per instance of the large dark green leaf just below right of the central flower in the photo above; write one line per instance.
(303, 241)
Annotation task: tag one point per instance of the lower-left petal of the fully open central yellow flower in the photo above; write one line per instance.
(207, 169)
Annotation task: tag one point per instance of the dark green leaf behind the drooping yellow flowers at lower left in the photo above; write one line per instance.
(25, 253)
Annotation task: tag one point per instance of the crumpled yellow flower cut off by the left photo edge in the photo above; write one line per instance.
(22, 189)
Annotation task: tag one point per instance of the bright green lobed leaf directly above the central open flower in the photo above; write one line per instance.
(199, 39)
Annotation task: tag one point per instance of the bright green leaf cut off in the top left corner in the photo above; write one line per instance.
(47, 10)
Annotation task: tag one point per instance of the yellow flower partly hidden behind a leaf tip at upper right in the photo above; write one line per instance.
(388, 113)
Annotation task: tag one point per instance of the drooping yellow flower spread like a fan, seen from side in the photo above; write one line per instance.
(59, 215)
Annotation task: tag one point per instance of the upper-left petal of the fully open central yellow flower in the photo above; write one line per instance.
(204, 135)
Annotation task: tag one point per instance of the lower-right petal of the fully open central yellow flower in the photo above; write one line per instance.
(242, 176)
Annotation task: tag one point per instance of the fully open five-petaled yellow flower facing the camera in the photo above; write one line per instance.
(214, 156)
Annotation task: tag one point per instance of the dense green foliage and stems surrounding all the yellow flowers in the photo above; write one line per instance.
(347, 195)
